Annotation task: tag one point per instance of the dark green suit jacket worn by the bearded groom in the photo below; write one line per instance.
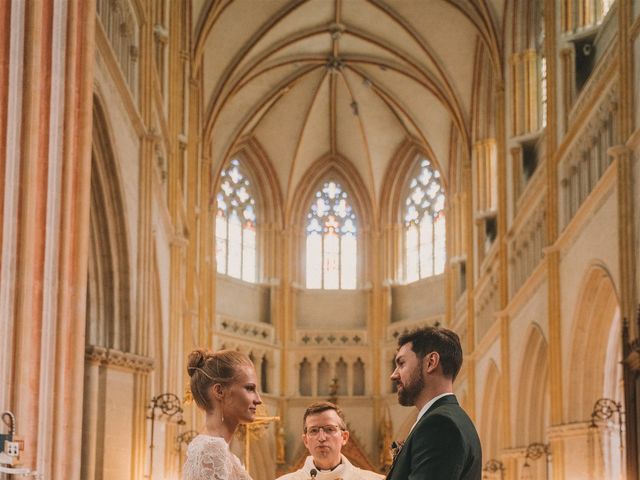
(444, 445)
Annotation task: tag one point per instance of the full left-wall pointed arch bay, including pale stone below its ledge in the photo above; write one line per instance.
(109, 361)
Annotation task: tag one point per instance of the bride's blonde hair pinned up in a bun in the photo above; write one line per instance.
(208, 368)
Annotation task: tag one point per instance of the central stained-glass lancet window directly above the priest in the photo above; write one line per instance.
(332, 243)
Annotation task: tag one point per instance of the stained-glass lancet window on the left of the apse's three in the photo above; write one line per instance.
(236, 224)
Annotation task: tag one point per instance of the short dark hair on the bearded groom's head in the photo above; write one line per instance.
(436, 339)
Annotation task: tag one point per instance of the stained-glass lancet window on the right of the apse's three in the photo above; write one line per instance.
(424, 221)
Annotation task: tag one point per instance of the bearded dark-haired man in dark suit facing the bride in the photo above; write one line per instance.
(443, 443)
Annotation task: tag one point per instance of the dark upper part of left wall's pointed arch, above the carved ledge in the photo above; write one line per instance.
(108, 292)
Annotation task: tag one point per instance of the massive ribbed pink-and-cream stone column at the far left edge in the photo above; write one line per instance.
(45, 142)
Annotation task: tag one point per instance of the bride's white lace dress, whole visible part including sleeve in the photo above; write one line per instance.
(209, 458)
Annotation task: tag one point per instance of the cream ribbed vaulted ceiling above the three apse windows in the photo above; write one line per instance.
(310, 79)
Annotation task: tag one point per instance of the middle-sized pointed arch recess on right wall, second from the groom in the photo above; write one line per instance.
(532, 408)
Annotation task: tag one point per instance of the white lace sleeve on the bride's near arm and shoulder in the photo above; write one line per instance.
(206, 460)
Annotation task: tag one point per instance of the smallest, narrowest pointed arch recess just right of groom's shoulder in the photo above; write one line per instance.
(491, 418)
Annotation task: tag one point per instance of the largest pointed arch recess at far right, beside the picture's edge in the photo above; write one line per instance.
(595, 351)
